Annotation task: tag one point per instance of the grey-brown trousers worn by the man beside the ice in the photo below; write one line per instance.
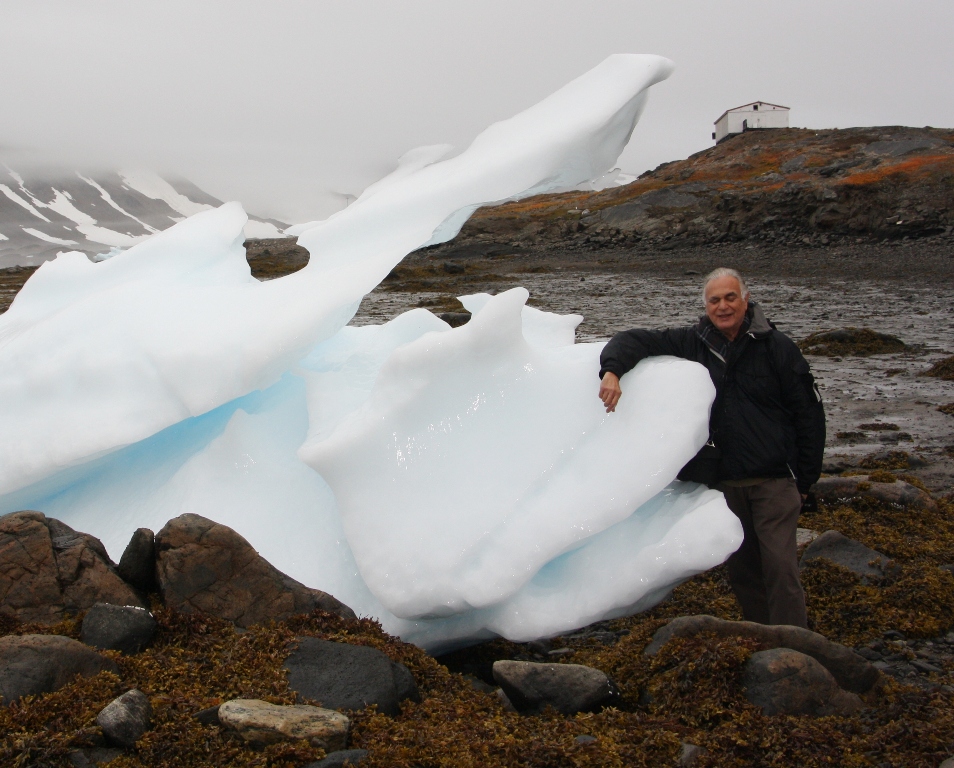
(763, 572)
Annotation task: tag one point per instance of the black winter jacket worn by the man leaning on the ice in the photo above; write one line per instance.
(767, 418)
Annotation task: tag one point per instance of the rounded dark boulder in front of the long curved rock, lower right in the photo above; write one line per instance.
(783, 681)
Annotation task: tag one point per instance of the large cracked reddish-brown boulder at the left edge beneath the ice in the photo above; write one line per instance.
(50, 571)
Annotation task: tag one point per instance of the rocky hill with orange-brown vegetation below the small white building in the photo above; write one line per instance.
(783, 186)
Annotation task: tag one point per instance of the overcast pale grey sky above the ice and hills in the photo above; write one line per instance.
(283, 103)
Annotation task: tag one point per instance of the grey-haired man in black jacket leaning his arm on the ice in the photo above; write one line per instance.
(766, 434)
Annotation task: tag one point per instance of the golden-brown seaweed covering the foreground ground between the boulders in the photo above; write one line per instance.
(690, 692)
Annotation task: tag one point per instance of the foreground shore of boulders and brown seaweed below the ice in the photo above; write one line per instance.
(194, 650)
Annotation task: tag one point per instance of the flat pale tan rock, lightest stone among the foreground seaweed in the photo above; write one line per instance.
(260, 723)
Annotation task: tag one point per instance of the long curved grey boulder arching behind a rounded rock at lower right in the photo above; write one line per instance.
(851, 671)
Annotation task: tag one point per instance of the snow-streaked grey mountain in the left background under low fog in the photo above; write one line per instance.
(45, 212)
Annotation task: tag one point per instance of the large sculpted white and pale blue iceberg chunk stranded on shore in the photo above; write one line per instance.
(454, 483)
